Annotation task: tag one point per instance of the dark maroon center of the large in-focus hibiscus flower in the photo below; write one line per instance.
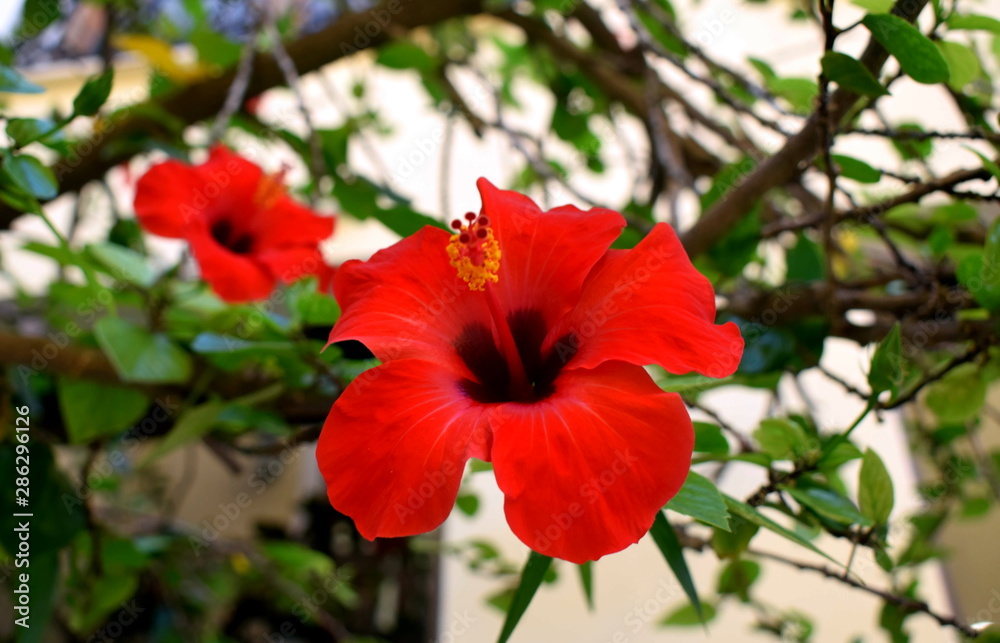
(486, 360)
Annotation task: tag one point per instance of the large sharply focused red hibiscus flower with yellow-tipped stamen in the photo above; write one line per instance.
(520, 340)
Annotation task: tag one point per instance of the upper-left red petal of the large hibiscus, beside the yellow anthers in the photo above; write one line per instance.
(407, 300)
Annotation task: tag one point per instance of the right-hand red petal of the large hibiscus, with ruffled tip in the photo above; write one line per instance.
(650, 306)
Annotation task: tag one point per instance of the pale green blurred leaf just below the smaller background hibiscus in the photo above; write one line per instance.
(141, 356)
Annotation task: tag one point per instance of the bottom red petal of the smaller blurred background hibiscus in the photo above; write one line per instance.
(235, 278)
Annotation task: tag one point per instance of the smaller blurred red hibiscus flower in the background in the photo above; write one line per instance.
(245, 232)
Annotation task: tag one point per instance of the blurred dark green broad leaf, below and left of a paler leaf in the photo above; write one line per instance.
(92, 410)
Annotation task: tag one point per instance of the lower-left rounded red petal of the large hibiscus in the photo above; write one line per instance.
(394, 447)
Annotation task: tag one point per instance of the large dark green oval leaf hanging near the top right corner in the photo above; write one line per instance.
(917, 55)
